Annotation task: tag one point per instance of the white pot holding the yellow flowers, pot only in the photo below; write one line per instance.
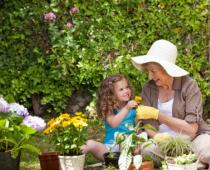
(72, 162)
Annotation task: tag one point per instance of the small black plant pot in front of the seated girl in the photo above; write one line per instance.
(111, 159)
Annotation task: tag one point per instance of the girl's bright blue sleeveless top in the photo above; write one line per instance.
(109, 131)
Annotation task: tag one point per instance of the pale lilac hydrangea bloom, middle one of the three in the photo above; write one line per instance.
(18, 109)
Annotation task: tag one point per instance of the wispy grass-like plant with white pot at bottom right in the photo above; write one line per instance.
(177, 153)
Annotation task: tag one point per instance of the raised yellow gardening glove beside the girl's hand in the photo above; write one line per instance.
(146, 112)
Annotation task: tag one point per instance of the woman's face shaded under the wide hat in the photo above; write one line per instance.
(158, 75)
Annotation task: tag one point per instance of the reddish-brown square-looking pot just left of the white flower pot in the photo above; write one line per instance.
(49, 161)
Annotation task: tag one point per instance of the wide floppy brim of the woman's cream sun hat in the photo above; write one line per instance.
(172, 69)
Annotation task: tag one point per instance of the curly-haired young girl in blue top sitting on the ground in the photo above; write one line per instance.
(117, 109)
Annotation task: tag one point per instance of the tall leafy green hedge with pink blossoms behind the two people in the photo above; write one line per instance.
(81, 42)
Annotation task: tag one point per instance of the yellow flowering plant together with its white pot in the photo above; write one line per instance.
(68, 133)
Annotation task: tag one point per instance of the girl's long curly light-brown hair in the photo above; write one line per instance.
(106, 101)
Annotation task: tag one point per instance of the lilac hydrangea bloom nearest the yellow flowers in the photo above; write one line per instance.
(34, 122)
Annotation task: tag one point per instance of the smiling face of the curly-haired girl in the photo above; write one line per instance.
(122, 91)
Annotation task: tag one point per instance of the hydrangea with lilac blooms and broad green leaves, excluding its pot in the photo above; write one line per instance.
(17, 128)
